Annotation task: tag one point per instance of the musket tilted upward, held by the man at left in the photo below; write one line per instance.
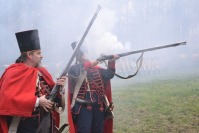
(45, 123)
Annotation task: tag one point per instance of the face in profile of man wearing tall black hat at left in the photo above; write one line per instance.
(36, 57)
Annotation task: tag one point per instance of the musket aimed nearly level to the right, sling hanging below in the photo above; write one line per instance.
(108, 57)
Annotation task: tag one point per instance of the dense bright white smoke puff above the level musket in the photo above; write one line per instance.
(101, 39)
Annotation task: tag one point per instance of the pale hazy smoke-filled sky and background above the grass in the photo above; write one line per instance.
(121, 26)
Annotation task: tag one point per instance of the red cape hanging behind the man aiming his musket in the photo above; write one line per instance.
(108, 124)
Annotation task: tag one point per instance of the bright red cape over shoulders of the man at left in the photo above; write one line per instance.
(17, 92)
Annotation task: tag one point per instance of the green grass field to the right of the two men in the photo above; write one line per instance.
(161, 105)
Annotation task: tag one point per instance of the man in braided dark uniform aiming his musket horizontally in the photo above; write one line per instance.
(87, 109)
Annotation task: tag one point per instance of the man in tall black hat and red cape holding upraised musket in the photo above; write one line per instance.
(23, 87)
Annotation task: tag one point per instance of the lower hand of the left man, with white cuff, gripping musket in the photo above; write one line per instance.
(46, 104)
